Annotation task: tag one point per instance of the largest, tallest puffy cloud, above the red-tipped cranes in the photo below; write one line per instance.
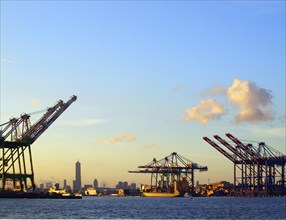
(252, 101)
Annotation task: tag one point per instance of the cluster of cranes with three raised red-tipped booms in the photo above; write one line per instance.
(258, 170)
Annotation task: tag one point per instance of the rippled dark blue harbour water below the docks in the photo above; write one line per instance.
(146, 208)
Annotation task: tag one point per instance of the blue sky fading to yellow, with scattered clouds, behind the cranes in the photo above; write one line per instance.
(151, 77)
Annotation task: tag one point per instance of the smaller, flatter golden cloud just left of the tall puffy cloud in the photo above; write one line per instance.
(207, 110)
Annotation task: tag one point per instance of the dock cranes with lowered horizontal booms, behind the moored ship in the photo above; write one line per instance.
(173, 170)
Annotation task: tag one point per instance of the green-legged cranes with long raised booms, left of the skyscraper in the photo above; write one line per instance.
(16, 138)
